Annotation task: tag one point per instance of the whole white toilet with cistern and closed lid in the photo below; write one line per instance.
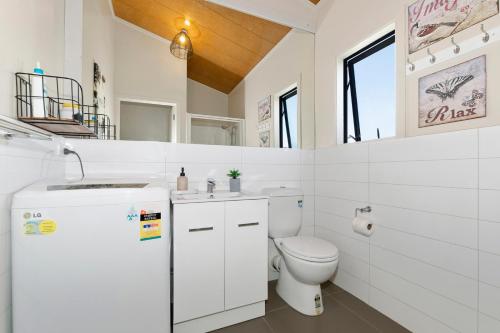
(304, 262)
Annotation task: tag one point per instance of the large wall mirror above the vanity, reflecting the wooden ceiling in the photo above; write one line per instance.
(232, 91)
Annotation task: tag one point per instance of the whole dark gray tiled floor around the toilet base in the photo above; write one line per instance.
(344, 313)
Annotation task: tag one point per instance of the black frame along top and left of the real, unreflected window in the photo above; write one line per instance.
(349, 81)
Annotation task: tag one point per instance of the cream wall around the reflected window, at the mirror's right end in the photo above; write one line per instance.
(291, 61)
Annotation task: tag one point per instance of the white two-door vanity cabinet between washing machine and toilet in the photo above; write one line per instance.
(219, 263)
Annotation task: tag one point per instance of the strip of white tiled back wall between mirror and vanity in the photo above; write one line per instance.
(260, 167)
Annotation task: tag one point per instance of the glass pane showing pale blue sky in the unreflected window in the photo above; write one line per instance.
(376, 92)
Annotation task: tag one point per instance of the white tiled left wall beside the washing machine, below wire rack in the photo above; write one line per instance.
(22, 162)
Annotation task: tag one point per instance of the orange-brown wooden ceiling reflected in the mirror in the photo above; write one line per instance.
(227, 44)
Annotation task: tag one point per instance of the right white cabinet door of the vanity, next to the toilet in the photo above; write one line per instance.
(246, 252)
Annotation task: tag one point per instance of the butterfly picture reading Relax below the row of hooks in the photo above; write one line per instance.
(454, 94)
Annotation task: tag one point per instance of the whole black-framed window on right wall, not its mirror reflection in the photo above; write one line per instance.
(370, 91)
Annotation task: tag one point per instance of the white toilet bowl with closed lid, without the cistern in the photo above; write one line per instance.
(304, 263)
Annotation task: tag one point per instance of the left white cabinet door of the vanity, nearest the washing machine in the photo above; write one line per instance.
(198, 234)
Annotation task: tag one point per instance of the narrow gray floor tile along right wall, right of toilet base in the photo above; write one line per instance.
(381, 322)
